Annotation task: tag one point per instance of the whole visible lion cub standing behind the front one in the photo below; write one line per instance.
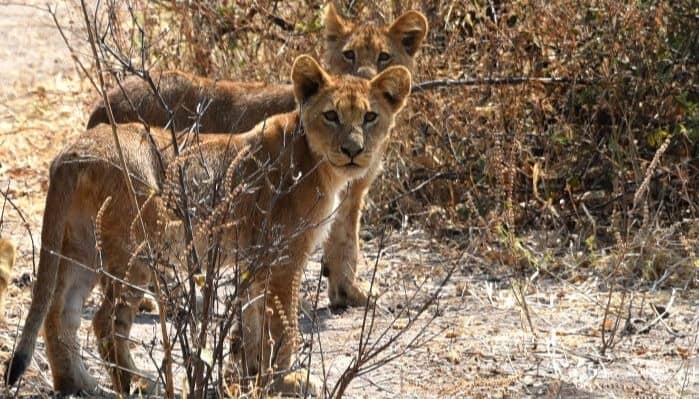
(236, 107)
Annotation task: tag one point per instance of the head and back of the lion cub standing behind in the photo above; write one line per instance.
(235, 107)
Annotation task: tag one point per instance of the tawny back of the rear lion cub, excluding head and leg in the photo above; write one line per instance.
(224, 106)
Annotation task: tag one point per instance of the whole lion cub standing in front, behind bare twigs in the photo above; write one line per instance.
(339, 131)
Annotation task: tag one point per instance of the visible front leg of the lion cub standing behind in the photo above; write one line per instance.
(341, 249)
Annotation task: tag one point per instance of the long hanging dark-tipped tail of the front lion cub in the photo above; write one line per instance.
(64, 176)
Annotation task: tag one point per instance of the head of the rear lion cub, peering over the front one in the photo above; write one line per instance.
(366, 49)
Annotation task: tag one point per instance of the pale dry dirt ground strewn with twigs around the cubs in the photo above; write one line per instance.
(481, 342)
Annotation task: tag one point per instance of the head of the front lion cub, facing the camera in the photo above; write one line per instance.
(347, 119)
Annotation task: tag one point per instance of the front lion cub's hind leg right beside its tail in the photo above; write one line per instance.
(74, 284)
